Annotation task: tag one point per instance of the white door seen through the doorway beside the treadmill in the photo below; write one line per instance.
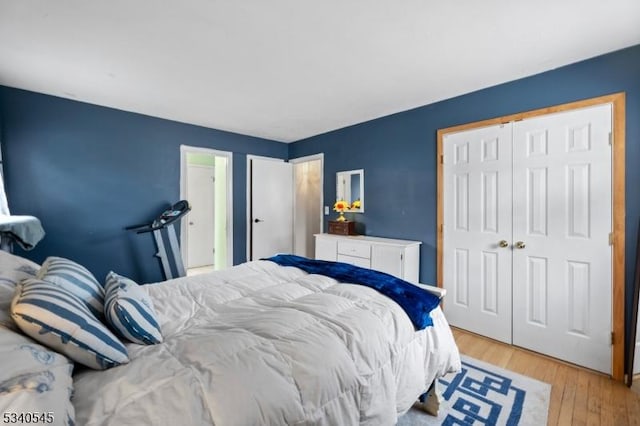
(200, 220)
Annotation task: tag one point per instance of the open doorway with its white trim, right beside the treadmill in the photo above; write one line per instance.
(206, 234)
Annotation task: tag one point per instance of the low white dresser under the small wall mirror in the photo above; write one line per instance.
(396, 257)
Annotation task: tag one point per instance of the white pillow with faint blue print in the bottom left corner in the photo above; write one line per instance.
(34, 379)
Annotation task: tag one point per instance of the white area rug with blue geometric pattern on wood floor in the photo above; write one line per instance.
(483, 394)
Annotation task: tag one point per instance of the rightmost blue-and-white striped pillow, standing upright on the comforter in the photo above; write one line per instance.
(129, 311)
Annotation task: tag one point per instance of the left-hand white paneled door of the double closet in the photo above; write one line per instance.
(477, 216)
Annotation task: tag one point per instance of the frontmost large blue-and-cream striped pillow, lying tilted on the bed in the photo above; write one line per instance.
(58, 319)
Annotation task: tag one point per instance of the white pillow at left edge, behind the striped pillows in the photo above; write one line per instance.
(12, 270)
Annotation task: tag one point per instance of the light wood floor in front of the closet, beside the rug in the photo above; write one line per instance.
(578, 396)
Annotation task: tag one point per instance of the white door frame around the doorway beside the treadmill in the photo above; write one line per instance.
(184, 150)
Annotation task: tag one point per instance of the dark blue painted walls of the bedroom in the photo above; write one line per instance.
(89, 171)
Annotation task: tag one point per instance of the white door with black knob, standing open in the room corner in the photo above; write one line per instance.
(271, 208)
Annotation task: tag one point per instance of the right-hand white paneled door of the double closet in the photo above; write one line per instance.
(562, 216)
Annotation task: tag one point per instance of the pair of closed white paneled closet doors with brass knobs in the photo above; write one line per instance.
(544, 186)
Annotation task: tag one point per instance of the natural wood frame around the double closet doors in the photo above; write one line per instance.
(617, 100)
